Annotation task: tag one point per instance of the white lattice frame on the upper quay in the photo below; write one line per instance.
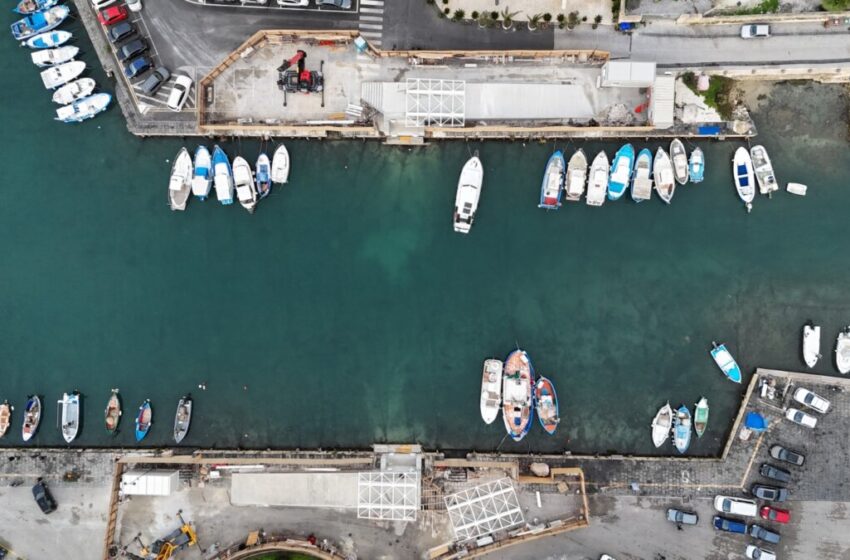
(435, 102)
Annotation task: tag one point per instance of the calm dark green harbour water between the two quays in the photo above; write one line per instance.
(347, 312)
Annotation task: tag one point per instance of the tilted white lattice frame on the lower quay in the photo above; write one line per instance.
(484, 509)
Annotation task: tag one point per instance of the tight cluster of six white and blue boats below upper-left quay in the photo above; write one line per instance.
(198, 177)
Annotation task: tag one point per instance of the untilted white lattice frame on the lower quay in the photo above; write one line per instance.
(392, 496)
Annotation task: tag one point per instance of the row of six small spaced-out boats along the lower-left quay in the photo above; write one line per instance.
(70, 416)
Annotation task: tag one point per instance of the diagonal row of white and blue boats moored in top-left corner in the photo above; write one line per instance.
(37, 30)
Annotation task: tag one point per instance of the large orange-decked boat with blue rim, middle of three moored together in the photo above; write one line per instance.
(517, 394)
